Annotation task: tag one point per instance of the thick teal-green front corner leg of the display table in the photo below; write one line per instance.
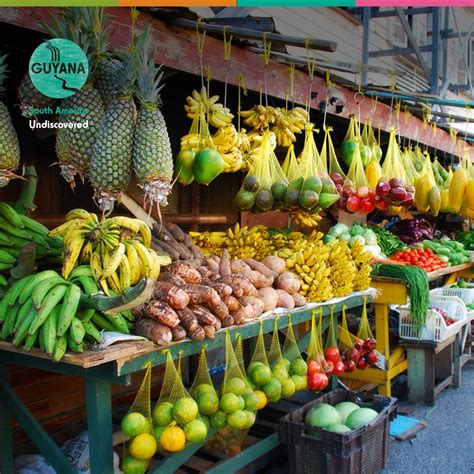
(99, 426)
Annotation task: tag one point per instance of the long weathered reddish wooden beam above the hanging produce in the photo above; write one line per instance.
(177, 49)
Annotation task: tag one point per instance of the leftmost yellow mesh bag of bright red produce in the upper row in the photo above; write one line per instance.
(356, 195)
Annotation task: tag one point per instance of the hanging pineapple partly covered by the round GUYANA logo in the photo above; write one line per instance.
(74, 145)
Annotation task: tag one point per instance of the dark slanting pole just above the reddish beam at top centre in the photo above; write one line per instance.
(274, 38)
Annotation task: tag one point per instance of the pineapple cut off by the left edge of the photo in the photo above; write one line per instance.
(9, 147)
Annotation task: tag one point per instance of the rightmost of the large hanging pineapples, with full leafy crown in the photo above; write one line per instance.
(152, 157)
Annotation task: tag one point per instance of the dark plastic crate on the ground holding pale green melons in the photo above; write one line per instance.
(362, 451)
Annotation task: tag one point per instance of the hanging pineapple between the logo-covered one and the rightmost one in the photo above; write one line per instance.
(111, 163)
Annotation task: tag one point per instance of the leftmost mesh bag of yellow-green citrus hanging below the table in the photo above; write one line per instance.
(137, 426)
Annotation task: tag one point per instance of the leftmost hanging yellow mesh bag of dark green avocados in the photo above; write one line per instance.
(265, 184)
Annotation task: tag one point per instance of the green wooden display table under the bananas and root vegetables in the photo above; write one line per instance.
(114, 367)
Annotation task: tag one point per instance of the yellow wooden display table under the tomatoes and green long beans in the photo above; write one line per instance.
(394, 292)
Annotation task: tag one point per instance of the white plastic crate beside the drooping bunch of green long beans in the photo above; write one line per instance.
(435, 328)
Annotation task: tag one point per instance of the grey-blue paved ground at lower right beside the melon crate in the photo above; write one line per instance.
(446, 446)
